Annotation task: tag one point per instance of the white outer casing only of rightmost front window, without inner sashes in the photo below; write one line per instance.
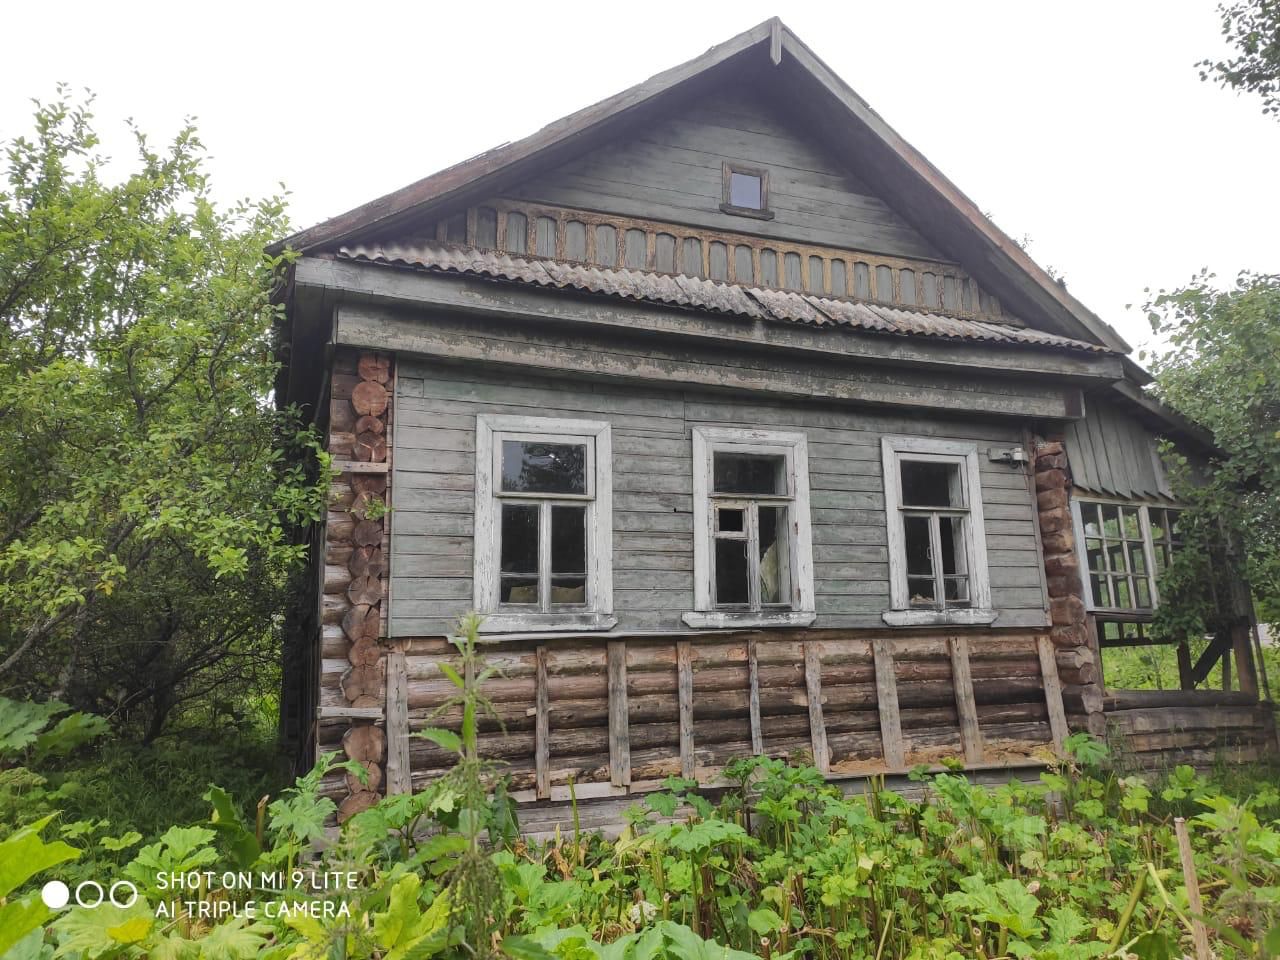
(894, 451)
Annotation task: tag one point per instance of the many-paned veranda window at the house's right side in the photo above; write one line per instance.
(1124, 548)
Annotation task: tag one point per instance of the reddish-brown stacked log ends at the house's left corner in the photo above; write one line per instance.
(356, 545)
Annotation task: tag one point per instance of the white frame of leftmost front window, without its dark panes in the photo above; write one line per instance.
(491, 432)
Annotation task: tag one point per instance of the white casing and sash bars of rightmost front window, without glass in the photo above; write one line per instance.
(967, 509)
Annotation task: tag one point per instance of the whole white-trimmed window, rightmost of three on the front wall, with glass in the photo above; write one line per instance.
(938, 548)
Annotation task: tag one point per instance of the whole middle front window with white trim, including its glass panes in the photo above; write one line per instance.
(753, 547)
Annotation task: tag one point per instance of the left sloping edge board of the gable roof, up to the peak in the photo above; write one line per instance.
(469, 173)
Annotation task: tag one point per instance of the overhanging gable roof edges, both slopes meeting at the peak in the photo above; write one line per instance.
(817, 98)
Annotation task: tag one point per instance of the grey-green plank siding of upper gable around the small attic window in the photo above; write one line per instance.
(674, 172)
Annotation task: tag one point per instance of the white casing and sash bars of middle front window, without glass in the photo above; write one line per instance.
(796, 573)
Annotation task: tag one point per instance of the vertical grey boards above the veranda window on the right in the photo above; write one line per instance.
(1114, 454)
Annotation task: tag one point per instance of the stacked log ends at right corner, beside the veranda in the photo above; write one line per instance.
(1069, 630)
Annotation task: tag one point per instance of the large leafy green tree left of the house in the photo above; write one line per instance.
(148, 484)
